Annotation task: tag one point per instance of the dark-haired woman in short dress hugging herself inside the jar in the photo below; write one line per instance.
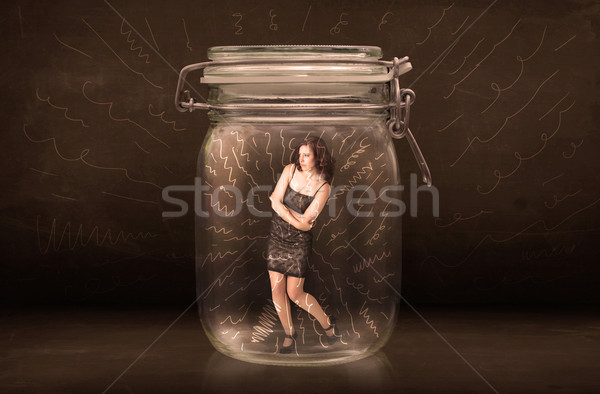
(299, 196)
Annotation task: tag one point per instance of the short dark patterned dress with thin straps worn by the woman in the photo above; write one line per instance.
(289, 249)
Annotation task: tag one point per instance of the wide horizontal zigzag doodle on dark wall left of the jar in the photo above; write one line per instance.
(66, 236)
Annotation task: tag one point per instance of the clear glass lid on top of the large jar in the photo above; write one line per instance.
(298, 64)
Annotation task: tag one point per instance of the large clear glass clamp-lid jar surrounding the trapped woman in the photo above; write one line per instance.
(263, 101)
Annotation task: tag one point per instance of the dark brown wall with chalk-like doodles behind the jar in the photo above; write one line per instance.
(86, 153)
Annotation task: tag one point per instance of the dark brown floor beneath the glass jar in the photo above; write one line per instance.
(87, 350)
